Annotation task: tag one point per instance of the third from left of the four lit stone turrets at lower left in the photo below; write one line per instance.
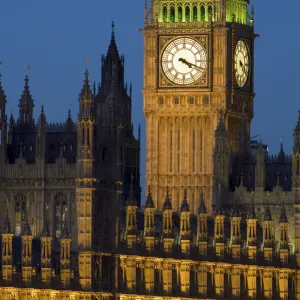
(46, 249)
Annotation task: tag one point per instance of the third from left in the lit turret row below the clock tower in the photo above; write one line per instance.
(168, 224)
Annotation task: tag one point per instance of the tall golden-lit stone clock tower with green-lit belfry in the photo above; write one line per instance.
(198, 62)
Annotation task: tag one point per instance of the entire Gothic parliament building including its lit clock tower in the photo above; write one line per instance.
(221, 218)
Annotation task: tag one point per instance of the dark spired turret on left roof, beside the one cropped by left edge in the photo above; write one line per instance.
(26, 105)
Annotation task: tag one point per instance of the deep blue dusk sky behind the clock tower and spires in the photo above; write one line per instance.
(55, 37)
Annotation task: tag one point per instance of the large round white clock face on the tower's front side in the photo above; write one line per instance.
(184, 61)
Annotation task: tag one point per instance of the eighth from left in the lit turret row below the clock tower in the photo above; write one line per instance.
(252, 234)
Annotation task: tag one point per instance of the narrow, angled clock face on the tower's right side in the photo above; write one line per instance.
(241, 63)
